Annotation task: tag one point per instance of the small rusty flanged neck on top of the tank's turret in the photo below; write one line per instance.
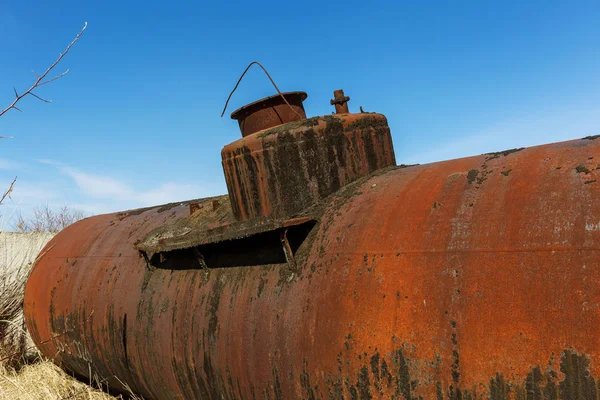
(270, 111)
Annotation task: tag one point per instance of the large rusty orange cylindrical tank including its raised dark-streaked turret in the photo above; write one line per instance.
(328, 272)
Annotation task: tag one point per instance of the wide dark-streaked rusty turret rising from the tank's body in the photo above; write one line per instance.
(283, 170)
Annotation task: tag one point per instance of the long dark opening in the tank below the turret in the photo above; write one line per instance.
(278, 246)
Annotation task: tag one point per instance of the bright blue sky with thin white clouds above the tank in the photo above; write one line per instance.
(137, 120)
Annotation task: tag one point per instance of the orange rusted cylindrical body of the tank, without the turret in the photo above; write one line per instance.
(416, 281)
